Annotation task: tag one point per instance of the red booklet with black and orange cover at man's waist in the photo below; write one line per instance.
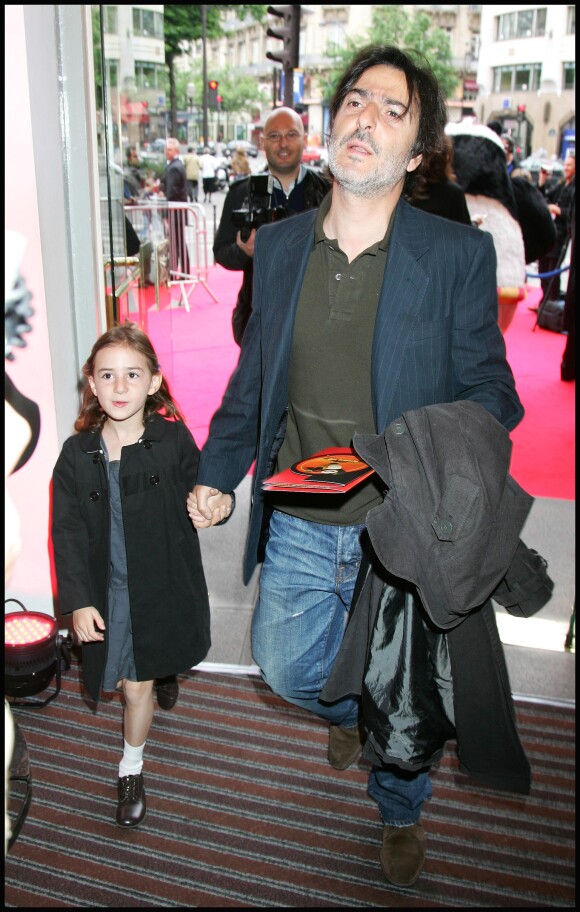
(334, 470)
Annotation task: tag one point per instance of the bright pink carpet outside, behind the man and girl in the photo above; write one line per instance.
(198, 355)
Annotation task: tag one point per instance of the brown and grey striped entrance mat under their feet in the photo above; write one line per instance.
(244, 810)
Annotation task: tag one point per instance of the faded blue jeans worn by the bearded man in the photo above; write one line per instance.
(306, 588)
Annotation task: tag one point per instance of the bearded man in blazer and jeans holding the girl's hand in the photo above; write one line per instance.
(361, 310)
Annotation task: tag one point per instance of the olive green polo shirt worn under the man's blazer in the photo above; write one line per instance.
(330, 394)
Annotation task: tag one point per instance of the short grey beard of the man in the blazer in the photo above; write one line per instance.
(388, 171)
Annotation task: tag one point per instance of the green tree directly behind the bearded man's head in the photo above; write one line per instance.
(415, 34)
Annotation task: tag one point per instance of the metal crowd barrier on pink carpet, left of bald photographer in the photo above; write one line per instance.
(184, 226)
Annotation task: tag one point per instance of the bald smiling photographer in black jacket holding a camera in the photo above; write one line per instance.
(254, 201)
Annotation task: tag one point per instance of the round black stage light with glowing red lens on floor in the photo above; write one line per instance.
(35, 651)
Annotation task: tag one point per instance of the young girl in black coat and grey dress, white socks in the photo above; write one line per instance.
(127, 558)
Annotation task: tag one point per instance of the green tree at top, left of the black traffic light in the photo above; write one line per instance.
(183, 23)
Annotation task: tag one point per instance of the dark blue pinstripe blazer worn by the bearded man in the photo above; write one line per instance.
(436, 340)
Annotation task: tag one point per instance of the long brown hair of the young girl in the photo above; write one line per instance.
(91, 415)
